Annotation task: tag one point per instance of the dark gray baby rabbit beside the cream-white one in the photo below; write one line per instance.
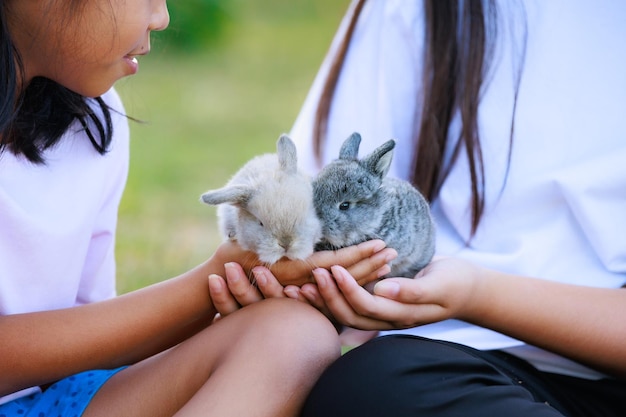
(355, 202)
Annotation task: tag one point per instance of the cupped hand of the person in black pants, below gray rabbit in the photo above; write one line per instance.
(440, 291)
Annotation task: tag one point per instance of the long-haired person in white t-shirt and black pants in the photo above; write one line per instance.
(508, 116)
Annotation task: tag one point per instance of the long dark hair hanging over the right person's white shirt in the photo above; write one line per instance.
(459, 38)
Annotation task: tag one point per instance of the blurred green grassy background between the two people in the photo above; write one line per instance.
(220, 85)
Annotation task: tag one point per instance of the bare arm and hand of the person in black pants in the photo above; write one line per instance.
(582, 323)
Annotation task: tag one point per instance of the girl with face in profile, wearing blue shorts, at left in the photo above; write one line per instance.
(68, 345)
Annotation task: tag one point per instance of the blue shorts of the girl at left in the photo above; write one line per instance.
(66, 398)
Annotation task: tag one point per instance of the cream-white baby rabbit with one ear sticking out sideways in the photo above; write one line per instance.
(267, 206)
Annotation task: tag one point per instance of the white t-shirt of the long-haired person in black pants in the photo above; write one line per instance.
(562, 213)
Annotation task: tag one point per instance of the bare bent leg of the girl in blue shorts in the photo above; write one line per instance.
(260, 361)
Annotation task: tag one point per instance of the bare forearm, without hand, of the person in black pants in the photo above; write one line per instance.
(582, 323)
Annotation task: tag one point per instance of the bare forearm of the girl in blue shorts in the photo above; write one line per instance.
(41, 347)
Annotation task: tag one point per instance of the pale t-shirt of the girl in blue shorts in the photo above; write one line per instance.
(57, 221)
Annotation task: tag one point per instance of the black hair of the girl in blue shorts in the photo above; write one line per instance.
(33, 118)
